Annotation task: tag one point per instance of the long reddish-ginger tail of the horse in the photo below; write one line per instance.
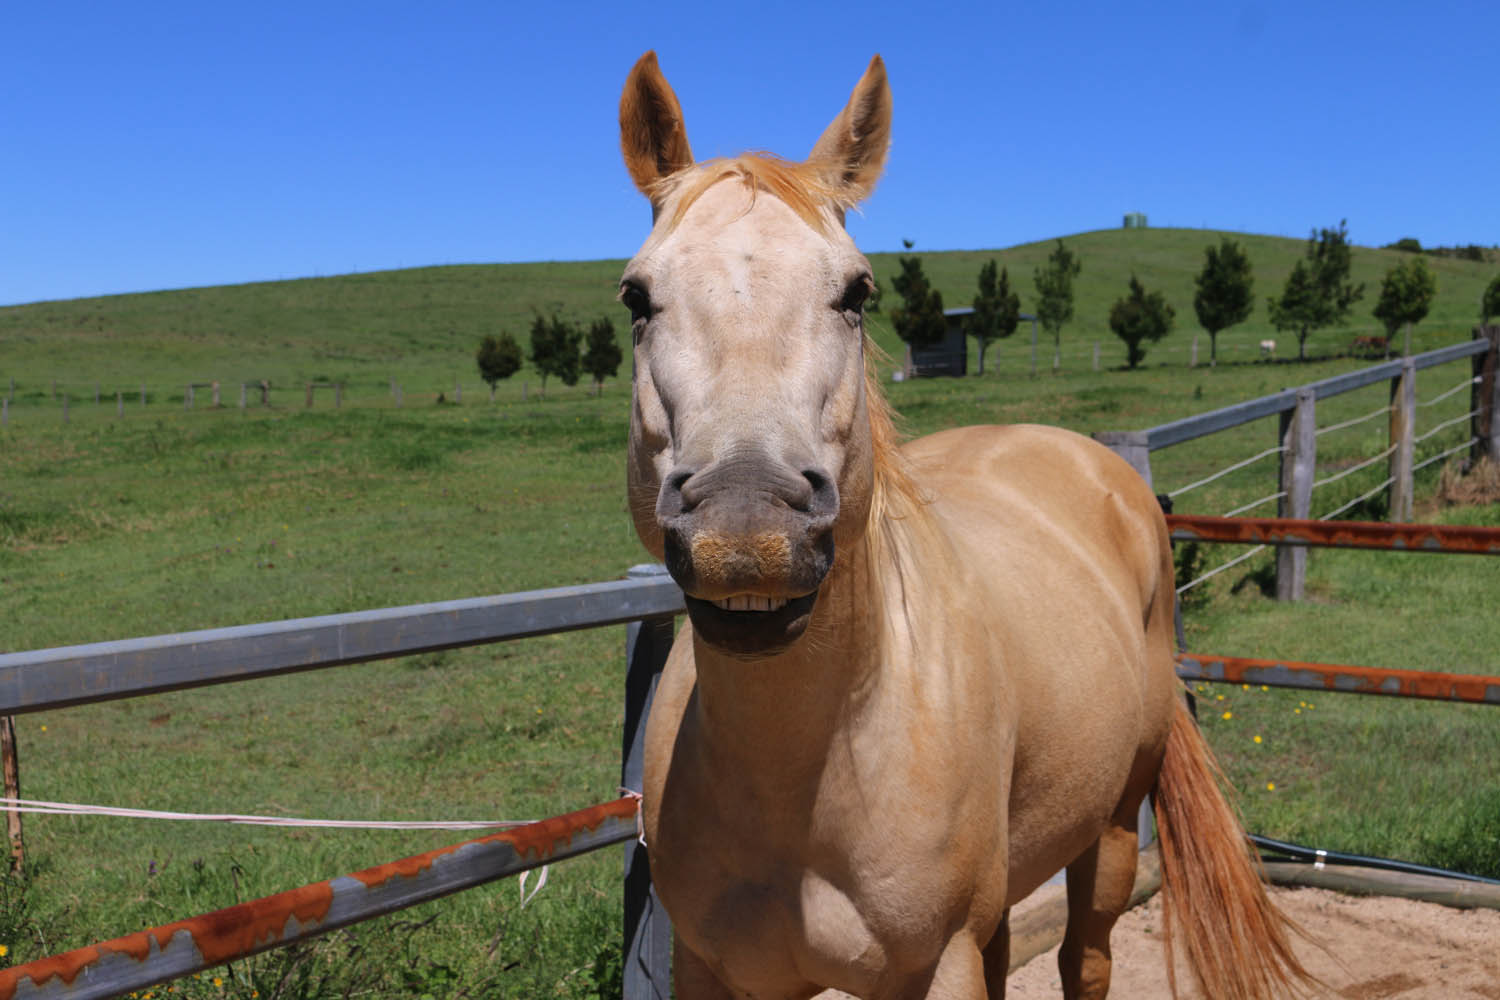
(1234, 938)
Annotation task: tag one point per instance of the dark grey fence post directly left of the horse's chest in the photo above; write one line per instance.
(649, 930)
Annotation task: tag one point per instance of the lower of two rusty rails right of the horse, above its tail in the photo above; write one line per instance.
(1342, 678)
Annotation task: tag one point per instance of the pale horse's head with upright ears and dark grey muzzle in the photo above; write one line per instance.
(751, 451)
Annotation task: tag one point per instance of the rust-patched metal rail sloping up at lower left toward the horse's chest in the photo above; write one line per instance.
(187, 947)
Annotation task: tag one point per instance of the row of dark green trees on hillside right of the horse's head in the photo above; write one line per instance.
(1318, 295)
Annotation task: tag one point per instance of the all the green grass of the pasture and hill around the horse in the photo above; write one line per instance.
(172, 519)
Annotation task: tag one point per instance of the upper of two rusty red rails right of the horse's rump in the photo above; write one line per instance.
(1336, 534)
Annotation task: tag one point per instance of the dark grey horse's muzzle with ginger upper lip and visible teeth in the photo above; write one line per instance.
(749, 540)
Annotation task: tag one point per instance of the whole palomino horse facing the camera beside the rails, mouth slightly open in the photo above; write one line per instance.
(919, 680)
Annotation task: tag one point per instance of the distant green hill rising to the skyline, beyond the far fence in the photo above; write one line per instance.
(422, 326)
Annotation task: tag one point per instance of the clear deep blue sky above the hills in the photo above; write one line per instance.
(155, 145)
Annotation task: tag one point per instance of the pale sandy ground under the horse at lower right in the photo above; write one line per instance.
(1378, 948)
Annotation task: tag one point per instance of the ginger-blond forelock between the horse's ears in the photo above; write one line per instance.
(803, 187)
